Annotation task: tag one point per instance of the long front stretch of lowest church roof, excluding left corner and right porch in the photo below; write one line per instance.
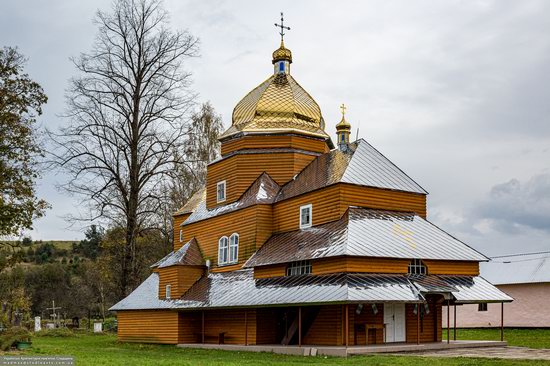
(239, 288)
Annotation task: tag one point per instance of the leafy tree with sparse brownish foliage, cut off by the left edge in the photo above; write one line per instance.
(21, 101)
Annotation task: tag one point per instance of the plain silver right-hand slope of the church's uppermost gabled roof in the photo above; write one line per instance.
(368, 167)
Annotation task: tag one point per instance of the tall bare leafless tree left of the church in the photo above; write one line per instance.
(127, 109)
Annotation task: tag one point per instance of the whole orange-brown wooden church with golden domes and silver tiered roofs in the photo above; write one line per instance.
(295, 241)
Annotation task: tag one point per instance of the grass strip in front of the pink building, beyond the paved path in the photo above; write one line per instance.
(532, 338)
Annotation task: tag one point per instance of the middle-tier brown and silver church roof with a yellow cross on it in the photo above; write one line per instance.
(366, 233)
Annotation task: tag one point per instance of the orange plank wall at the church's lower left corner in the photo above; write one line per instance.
(149, 326)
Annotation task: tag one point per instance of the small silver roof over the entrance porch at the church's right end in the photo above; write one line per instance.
(474, 290)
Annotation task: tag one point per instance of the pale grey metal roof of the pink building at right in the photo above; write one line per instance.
(516, 269)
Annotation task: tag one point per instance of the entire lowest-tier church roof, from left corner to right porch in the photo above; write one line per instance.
(240, 289)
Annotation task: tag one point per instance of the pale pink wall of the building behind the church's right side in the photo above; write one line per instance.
(529, 309)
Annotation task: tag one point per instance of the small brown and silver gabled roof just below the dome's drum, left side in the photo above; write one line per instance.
(262, 191)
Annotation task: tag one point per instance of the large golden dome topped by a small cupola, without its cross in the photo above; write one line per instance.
(278, 105)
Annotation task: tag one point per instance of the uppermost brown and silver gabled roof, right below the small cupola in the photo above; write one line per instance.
(359, 164)
